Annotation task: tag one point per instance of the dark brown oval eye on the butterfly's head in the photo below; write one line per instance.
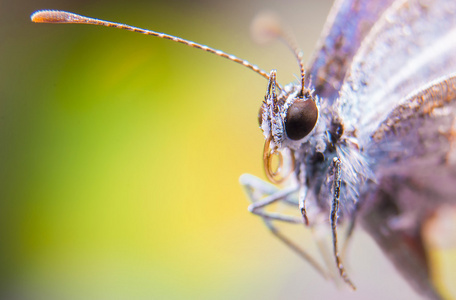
(301, 118)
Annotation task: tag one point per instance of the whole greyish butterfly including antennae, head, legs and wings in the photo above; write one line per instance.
(367, 135)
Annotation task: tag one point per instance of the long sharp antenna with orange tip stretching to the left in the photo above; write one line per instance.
(58, 16)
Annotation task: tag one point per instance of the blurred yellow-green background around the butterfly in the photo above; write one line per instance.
(120, 156)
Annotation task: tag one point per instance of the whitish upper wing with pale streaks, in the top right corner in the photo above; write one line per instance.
(412, 43)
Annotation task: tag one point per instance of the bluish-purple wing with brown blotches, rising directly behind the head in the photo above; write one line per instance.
(347, 25)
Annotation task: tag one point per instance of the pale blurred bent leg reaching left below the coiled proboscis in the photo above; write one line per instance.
(262, 194)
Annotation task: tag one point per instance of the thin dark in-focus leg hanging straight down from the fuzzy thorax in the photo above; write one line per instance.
(334, 211)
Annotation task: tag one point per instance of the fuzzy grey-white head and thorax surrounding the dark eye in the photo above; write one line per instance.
(314, 153)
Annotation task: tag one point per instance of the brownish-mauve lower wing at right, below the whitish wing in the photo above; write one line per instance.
(414, 159)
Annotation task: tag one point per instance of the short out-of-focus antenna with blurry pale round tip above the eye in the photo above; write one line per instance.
(267, 26)
